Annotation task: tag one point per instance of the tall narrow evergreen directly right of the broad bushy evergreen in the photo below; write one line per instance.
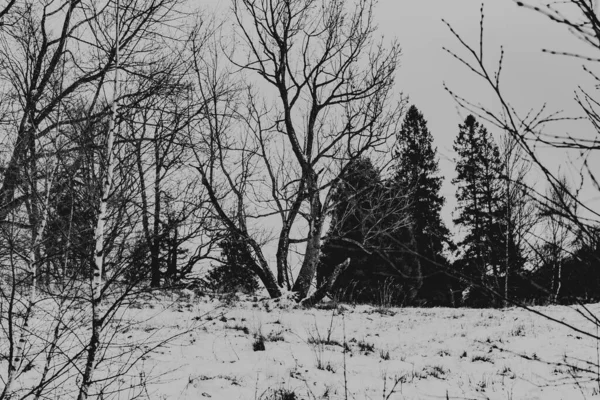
(417, 170)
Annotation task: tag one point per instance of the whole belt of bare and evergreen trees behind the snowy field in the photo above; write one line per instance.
(136, 152)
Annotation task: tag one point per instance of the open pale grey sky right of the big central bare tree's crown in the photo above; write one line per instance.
(530, 76)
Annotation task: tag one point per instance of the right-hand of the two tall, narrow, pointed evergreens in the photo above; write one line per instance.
(481, 206)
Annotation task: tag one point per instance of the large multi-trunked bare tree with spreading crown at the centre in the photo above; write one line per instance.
(329, 100)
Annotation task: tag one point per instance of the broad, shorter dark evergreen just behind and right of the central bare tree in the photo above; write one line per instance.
(367, 214)
